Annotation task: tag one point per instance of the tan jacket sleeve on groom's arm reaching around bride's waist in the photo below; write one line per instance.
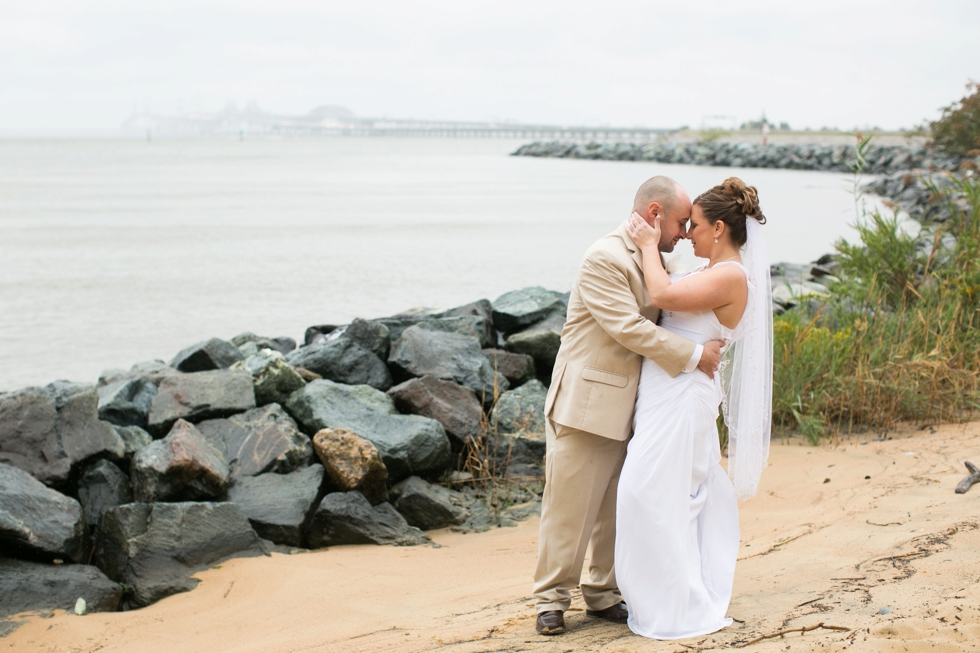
(605, 290)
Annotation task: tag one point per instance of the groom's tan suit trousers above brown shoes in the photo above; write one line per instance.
(579, 506)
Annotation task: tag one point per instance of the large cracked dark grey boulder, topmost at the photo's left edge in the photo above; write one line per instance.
(46, 431)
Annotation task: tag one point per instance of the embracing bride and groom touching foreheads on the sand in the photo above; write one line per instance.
(633, 456)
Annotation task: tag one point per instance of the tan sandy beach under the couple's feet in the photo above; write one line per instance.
(838, 535)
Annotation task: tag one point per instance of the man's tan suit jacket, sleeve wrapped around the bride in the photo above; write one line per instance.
(611, 327)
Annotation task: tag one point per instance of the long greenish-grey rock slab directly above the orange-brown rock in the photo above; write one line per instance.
(408, 444)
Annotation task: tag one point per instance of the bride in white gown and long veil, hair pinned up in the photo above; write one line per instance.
(677, 531)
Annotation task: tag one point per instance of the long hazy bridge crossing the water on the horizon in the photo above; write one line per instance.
(337, 121)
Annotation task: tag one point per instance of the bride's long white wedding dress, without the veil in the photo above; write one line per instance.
(677, 531)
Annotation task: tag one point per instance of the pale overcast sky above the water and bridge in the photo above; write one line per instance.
(88, 65)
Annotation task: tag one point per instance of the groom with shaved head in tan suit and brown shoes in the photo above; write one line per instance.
(611, 327)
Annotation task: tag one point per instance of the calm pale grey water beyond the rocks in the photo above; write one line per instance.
(113, 252)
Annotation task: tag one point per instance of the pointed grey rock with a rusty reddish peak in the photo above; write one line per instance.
(180, 467)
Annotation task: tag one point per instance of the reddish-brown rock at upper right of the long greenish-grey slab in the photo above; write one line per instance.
(452, 405)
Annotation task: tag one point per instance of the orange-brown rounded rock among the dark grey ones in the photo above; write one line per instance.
(352, 463)
